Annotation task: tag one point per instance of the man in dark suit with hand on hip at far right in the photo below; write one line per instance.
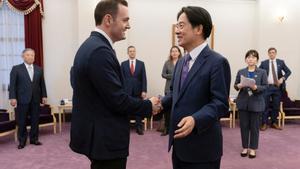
(278, 73)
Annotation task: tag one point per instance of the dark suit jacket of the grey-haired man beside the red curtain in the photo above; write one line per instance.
(21, 87)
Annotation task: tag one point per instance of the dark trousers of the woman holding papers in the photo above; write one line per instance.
(249, 124)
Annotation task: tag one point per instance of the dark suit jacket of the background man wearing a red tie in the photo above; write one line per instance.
(137, 83)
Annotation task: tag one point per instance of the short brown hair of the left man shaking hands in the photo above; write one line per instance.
(107, 7)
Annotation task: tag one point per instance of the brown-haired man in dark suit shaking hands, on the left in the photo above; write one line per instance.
(100, 124)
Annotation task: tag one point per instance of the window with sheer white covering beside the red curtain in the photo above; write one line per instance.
(12, 43)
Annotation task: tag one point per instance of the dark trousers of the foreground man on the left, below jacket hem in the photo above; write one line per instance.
(109, 164)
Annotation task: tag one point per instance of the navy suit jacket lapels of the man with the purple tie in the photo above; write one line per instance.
(201, 58)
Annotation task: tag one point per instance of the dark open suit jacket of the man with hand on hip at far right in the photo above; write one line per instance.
(281, 68)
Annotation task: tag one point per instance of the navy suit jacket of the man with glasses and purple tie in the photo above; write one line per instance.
(204, 95)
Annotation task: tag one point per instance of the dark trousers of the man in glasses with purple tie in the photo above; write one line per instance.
(178, 164)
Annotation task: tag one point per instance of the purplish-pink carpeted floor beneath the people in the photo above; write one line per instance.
(277, 150)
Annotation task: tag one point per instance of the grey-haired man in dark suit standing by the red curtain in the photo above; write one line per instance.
(26, 91)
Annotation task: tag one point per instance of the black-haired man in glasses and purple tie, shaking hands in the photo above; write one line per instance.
(198, 95)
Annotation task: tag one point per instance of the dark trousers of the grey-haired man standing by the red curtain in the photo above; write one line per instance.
(23, 112)
